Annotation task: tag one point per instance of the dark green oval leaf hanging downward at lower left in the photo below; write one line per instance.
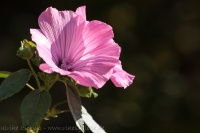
(34, 107)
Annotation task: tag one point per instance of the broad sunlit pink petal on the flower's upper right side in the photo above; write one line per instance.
(98, 41)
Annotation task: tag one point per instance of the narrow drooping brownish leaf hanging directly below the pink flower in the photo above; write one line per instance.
(74, 102)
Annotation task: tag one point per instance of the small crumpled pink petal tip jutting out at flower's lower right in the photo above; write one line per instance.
(121, 78)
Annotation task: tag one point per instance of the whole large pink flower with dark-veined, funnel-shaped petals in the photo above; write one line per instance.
(83, 50)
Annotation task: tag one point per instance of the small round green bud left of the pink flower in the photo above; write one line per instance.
(27, 49)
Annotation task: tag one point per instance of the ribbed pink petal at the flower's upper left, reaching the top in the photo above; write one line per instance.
(52, 23)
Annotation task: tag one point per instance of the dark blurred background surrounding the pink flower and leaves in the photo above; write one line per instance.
(160, 42)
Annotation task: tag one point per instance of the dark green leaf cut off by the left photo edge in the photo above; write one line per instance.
(14, 83)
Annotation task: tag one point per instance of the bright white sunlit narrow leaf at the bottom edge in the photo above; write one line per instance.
(91, 123)
